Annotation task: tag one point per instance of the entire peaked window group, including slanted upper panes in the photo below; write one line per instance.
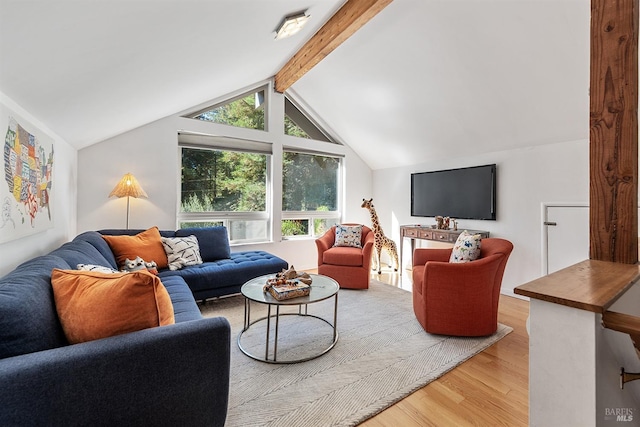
(226, 178)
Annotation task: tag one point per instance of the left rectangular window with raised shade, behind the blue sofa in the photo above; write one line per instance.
(221, 185)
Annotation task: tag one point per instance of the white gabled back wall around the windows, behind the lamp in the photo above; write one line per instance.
(151, 154)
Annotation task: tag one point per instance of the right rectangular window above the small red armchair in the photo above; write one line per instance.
(310, 193)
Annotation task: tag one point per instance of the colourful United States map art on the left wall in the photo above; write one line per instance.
(26, 190)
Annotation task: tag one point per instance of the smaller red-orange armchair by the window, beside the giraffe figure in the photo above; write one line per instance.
(346, 265)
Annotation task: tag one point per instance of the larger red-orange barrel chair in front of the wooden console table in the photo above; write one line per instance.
(459, 299)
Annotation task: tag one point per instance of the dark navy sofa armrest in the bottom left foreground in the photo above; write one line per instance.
(166, 376)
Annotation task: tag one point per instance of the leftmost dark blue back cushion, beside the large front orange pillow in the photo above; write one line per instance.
(28, 320)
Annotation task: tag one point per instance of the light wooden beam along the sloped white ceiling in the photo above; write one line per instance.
(342, 25)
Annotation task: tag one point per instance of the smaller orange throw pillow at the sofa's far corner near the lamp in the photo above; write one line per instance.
(146, 245)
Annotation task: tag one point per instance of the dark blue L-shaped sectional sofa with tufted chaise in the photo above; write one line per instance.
(162, 376)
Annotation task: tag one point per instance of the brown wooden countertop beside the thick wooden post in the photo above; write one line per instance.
(589, 285)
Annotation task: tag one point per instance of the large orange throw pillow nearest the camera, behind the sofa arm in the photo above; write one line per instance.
(95, 305)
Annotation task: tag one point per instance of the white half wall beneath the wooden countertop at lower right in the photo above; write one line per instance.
(574, 366)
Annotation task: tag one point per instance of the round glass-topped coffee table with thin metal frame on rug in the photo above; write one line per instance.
(322, 288)
